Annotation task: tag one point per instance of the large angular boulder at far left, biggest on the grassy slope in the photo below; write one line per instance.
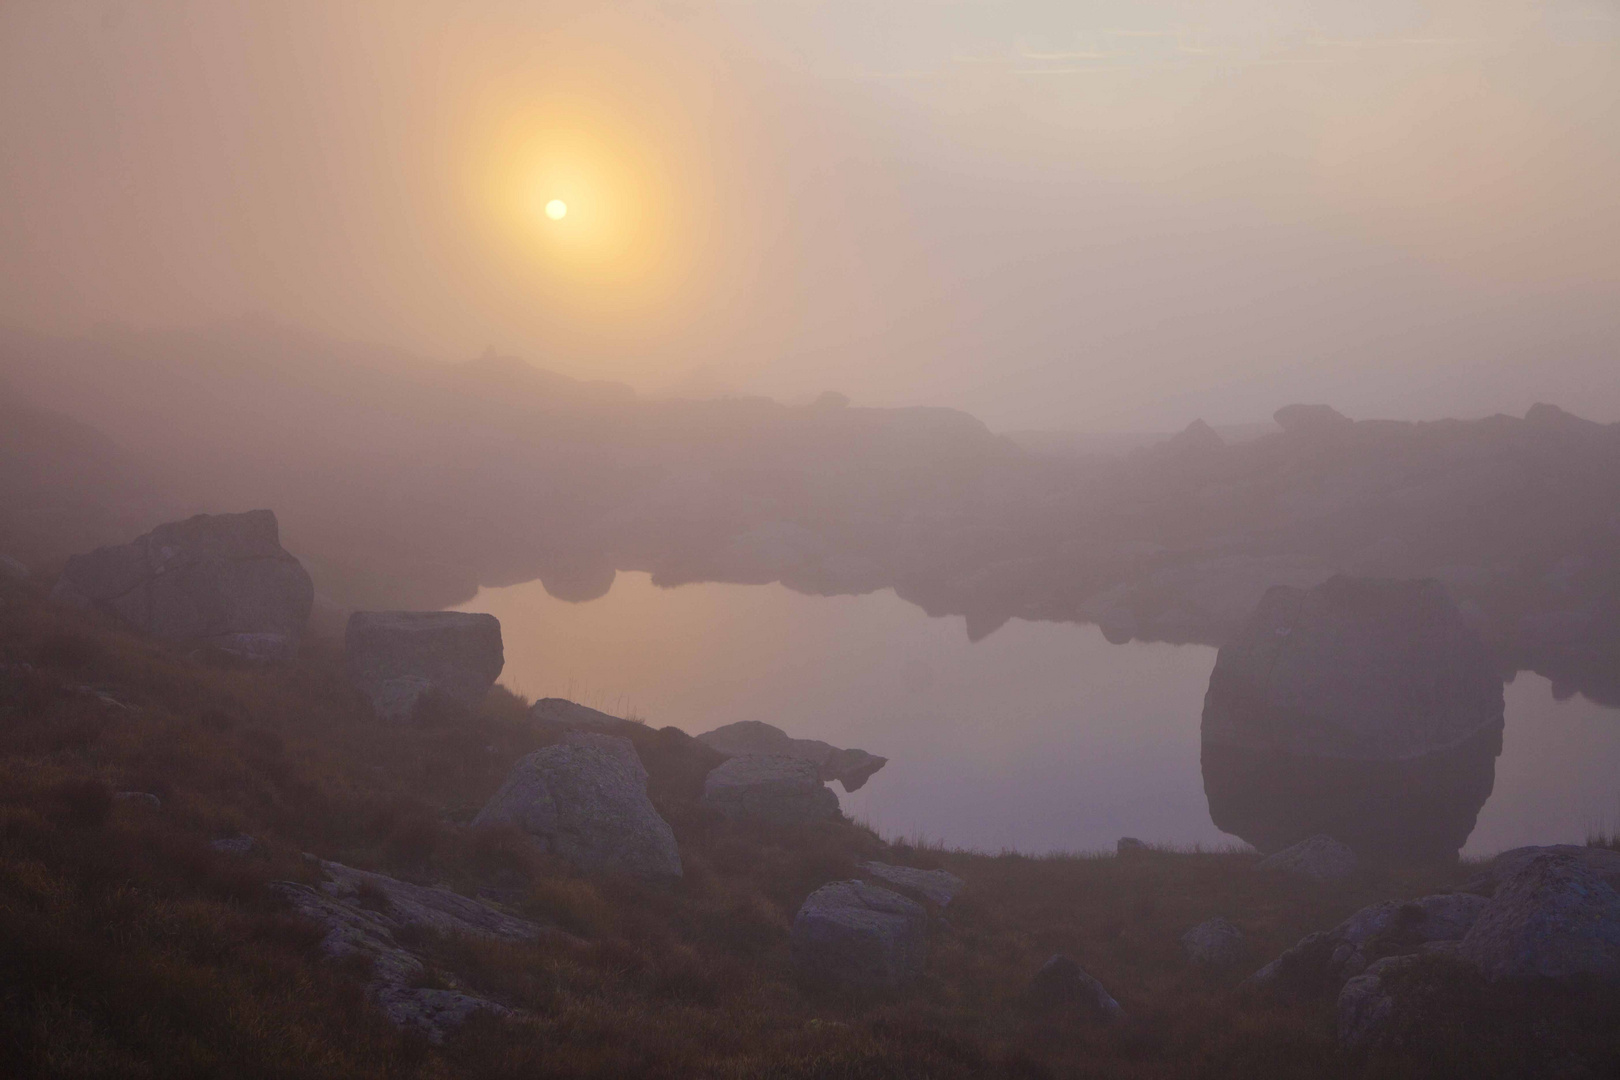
(221, 580)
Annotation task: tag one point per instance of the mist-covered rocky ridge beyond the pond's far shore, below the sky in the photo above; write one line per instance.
(404, 483)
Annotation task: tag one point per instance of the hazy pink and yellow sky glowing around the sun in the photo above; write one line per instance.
(1049, 213)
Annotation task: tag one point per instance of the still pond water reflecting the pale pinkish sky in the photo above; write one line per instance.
(1041, 738)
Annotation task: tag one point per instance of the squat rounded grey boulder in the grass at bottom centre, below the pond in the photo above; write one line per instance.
(851, 933)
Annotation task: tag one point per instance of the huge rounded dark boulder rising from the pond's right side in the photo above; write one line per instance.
(1363, 708)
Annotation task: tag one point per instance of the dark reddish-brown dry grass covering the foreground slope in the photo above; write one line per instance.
(130, 950)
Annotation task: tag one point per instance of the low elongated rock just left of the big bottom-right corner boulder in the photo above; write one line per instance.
(1326, 959)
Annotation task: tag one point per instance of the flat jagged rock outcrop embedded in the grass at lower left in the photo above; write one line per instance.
(362, 912)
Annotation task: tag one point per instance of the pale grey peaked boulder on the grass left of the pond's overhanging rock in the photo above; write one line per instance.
(586, 799)
